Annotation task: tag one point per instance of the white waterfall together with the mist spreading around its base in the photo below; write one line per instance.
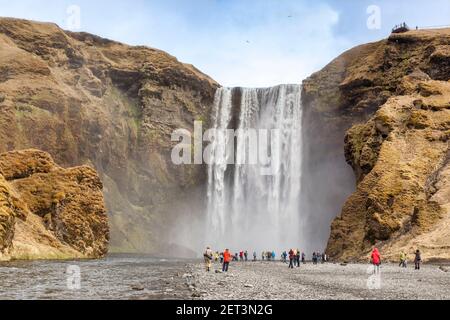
(241, 209)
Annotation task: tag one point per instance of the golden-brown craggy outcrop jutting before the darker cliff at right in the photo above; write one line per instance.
(400, 169)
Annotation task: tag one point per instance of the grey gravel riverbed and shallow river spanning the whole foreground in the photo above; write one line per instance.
(138, 277)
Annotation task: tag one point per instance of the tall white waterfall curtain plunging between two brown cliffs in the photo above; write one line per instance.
(253, 199)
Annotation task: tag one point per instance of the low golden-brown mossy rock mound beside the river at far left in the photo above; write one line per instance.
(48, 212)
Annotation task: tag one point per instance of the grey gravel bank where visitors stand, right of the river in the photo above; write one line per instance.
(273, 280)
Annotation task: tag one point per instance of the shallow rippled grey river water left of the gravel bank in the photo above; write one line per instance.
(115, 277)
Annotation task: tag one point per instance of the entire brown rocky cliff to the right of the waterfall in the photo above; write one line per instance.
(385, 107)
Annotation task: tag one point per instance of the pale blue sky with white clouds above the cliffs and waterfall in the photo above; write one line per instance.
(250, 43)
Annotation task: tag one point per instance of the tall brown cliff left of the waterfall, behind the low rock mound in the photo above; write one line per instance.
(90, 101)
